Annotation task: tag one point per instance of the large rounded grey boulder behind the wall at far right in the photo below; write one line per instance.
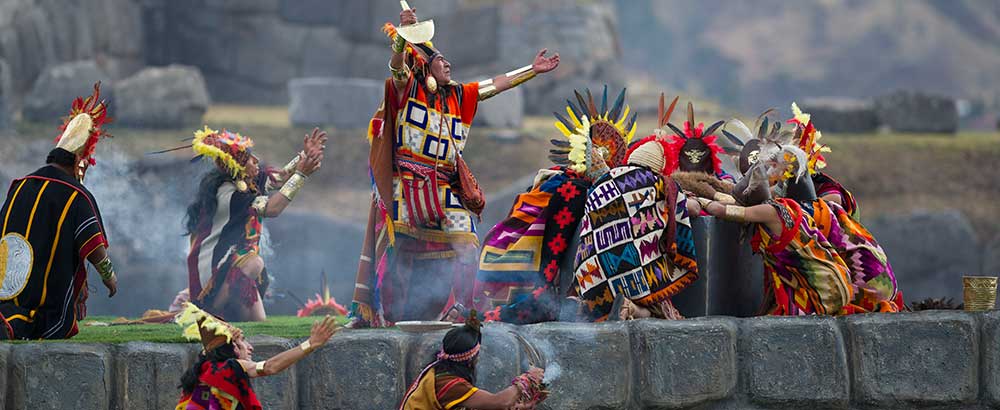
(932, 266)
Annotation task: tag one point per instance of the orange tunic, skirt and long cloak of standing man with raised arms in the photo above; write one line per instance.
(415, 144)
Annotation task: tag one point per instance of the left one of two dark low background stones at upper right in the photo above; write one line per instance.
(842, 114)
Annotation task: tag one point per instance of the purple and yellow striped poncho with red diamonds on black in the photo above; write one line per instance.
(518, 279)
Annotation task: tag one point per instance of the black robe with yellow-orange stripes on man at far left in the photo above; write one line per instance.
(59, 219)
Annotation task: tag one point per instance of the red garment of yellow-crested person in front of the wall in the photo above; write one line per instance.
(221, 386)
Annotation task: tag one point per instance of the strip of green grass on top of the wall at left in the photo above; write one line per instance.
(280, 326)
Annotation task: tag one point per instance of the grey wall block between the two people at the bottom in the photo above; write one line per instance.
(357, 369)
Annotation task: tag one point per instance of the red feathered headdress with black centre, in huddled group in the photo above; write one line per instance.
(693, 146)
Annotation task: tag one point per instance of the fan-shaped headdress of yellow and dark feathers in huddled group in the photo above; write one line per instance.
(606, 131)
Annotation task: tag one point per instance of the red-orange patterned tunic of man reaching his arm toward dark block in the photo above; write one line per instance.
(803, 272)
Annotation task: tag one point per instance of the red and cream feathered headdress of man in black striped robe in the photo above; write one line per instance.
(83, 128)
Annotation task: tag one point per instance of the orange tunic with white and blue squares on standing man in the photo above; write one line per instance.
(429, 137)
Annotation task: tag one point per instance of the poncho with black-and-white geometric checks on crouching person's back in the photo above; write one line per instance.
(636, 239)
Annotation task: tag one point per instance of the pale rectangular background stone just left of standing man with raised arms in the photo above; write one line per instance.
(341, 102)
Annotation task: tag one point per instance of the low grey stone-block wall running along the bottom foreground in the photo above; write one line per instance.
(940, 360)
